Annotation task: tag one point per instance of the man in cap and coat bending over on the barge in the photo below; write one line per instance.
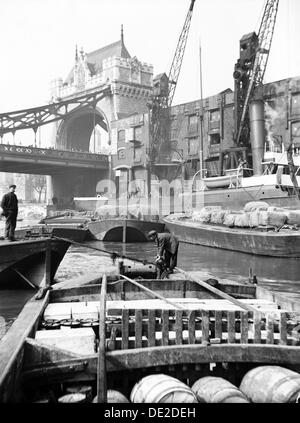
(167, 248)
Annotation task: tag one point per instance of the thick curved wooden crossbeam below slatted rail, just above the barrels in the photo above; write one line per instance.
(169, 355)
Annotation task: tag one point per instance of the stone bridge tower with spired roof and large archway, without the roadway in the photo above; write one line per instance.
(88, 129)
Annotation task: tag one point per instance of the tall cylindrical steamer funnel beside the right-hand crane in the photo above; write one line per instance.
(257, 134)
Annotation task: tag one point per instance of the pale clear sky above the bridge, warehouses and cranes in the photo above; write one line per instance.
(38, 39)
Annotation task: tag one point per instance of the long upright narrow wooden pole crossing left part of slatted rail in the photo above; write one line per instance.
(101, 368)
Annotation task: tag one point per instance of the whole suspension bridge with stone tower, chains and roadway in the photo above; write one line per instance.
(102, 87)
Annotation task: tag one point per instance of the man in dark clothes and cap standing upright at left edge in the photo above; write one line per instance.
(9, 205)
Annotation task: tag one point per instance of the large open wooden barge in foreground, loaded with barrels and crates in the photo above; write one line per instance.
(191, 329)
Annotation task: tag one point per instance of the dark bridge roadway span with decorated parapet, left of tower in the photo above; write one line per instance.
(47, 161)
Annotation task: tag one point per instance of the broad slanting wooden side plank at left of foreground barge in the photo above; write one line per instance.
(12, 345)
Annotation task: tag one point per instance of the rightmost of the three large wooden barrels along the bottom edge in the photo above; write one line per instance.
(270, 384)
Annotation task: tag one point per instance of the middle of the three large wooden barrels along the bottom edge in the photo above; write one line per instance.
(217, 390)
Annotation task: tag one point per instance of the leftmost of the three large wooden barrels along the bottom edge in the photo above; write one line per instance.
(161, 388)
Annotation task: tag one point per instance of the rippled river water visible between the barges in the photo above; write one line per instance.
(276, 273)
